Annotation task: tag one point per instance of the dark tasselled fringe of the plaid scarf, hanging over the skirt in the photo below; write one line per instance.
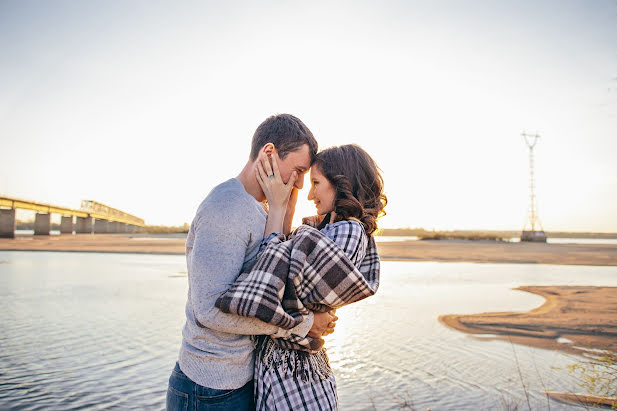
(300, 364)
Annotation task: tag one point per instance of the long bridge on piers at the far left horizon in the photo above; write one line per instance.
(92, 217)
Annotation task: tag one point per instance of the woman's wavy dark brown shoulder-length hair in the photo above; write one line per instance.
(358, 184)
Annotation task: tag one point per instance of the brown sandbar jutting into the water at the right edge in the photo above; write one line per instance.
(572, 319)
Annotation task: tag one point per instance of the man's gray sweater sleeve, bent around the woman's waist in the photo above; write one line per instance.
(214, 258)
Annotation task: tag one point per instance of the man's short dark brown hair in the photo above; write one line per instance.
(288, 133)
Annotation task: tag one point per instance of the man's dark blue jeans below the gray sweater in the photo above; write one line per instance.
(184, 394)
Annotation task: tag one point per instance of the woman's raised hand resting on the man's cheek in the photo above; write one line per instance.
(269, 178)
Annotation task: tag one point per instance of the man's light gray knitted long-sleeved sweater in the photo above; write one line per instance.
(224, 237)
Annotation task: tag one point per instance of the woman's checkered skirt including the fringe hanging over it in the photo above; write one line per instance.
(293, 380)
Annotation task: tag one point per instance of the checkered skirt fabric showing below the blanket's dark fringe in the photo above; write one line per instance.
(276, 389)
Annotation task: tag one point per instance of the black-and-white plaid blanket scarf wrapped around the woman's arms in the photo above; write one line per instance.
(307, 272)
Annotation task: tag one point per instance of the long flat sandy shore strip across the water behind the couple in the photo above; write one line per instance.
(446, 251)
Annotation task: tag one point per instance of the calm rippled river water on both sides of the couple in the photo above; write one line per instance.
(88, 330)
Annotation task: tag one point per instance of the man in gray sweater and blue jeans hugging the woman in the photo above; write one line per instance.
(215, 366)
